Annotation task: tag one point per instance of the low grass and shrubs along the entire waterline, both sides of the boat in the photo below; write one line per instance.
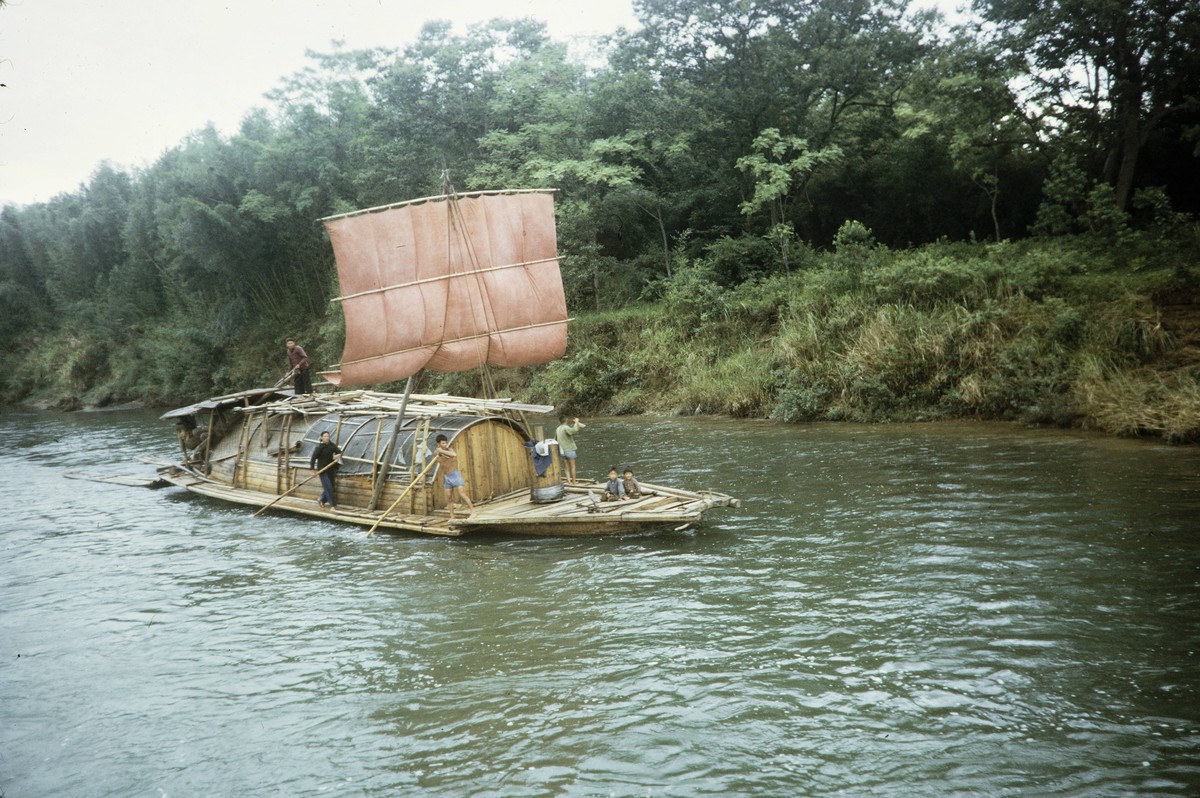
(1067, 332)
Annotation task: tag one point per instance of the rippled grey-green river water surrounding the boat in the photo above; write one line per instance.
(927, 610)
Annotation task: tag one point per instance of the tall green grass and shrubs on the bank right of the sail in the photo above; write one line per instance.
(992, 332)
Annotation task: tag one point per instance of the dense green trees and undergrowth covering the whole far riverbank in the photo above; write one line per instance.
(789, 176)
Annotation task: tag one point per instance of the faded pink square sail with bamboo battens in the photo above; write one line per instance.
(449, 284)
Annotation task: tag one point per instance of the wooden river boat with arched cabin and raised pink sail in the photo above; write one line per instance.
(443, 284)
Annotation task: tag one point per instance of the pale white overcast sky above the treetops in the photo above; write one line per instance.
(124, 81)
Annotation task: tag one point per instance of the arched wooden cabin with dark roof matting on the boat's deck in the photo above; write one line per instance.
(261, 445)
